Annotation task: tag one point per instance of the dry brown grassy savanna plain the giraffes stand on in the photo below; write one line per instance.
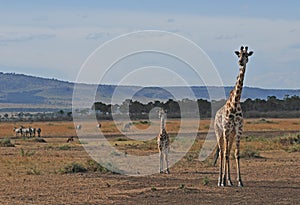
(50, 170)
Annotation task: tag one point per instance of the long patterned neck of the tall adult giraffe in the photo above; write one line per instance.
(237, 91)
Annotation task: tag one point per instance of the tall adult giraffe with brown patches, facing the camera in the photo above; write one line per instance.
(229, 124)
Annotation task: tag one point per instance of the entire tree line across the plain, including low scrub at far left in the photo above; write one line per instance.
(272, 107)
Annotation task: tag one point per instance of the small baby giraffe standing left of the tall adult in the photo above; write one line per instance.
(163, 143)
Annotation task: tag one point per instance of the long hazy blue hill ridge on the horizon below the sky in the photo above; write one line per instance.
(19, 90)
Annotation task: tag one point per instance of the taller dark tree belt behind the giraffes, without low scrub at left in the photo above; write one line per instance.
(289, 107)
